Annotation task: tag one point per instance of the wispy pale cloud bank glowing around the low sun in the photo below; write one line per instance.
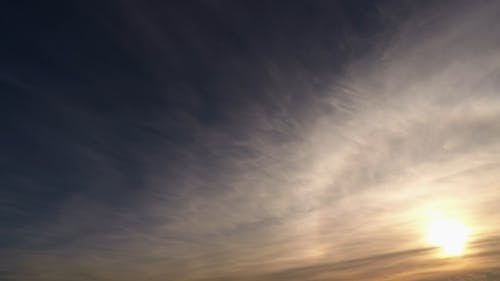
(336, 186)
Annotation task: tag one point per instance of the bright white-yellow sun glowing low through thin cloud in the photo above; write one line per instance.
(449, 234)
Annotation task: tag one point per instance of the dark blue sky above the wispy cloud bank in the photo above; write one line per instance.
(82, 78)
